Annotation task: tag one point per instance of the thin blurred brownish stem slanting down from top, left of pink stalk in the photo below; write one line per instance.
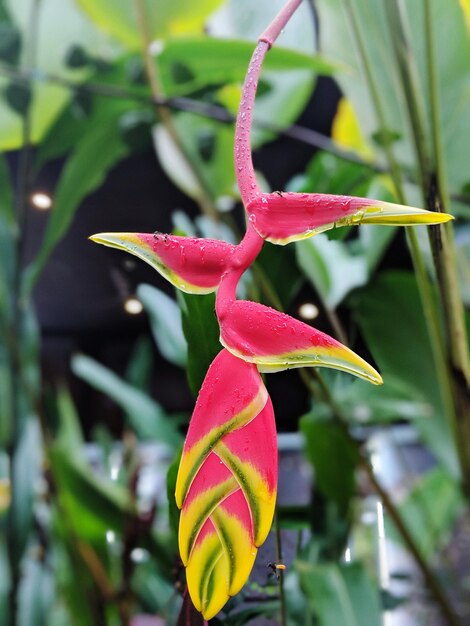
(153, 75)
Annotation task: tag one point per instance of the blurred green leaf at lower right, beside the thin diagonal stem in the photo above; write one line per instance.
(430, 511)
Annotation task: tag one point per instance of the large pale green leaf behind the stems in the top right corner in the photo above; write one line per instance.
(453, 78)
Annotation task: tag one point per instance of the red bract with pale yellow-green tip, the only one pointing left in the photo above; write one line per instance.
(193, 265)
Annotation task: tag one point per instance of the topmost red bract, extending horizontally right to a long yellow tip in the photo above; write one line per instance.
(283, 217)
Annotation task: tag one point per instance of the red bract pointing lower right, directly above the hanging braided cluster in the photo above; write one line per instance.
(276, 341)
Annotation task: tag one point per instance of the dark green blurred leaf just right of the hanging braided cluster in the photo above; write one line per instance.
(333, 457)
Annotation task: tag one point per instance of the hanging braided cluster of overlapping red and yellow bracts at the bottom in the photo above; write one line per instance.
(227, 481)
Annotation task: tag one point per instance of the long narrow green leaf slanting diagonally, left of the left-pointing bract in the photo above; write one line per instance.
(99, 149)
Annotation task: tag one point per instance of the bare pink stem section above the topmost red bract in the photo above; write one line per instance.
(243, 161)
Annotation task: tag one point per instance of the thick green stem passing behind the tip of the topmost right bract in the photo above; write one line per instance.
(430, 157)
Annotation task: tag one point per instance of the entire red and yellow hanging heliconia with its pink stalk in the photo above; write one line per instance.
(226, 485)
